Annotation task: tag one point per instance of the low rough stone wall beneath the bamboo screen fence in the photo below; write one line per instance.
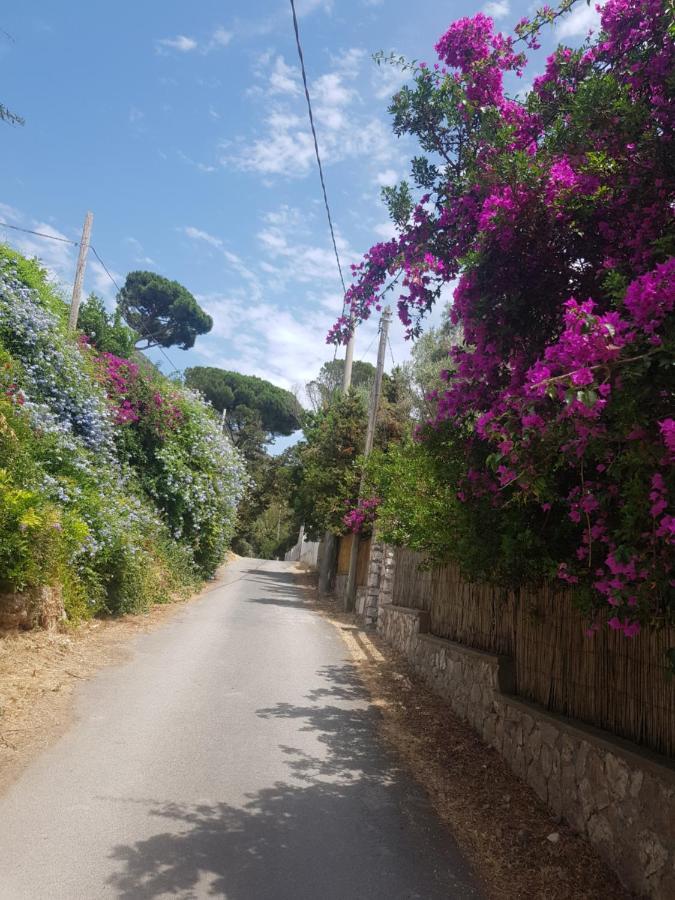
(621, 797)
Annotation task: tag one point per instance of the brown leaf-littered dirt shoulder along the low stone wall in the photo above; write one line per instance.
(512, 840)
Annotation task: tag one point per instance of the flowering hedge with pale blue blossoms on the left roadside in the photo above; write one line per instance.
(114, 482)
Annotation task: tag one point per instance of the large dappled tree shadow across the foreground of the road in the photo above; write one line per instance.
(346, 824)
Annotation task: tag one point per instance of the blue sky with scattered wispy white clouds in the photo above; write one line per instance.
(183, 128)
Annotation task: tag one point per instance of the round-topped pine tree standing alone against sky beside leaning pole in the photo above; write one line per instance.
(163, 312)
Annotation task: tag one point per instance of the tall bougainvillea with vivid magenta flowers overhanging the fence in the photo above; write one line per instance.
(551, 211)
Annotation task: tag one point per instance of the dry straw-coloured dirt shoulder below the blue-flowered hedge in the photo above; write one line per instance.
(39, 671)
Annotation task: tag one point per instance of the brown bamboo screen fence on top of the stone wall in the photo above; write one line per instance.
(616, 683)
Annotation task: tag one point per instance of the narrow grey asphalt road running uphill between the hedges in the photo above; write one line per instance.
(234, 755)
